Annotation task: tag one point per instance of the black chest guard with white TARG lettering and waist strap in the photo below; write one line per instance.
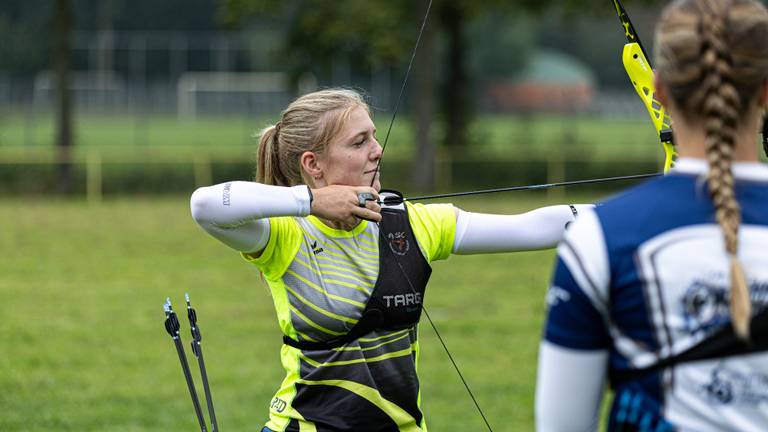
(396, 300)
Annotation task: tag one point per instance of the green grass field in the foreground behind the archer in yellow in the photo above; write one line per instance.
(84, 349)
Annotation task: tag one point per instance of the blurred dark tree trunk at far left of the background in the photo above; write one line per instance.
(63, 138)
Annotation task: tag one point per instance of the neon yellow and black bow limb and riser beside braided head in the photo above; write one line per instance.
(640, 72)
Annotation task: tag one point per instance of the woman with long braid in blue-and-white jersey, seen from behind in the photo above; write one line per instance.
(661, 291)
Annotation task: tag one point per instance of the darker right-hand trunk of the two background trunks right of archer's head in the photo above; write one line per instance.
(455, 95)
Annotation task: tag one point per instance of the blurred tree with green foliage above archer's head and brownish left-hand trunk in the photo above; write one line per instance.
(375, 34)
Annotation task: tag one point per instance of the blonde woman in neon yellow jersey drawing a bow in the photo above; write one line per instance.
(347, 275)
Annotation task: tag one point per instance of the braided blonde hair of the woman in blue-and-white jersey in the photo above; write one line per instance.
(712, 56)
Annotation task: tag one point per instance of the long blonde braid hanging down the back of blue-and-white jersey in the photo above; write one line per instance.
(722, 107)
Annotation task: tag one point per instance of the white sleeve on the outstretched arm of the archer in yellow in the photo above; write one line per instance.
(537, 229)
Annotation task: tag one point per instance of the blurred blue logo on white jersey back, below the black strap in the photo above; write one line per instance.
(729, 386)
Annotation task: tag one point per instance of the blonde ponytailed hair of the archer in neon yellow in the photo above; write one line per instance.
(308, 124)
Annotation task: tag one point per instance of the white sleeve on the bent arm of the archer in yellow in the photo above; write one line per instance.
(236, 212)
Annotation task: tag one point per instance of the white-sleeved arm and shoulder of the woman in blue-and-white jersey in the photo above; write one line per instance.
(574, 354)
